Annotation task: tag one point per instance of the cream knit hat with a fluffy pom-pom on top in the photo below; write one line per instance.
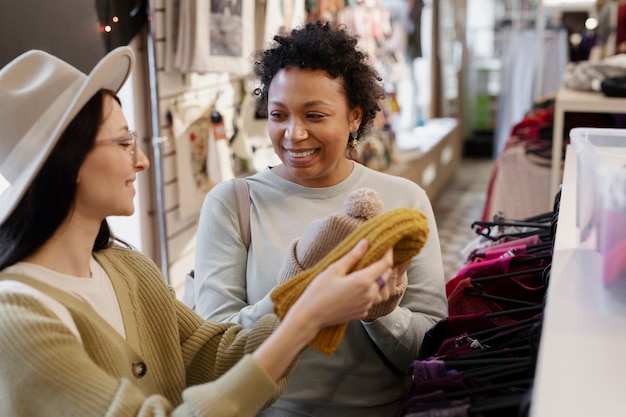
(325, 234)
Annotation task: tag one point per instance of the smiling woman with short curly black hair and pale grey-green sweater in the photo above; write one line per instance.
(321, 95)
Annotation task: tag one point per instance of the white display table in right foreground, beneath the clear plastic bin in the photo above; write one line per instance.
(581, 363)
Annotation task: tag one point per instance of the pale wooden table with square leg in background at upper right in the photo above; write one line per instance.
(568, 100)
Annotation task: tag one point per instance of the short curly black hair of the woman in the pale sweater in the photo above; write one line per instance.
(326, 47)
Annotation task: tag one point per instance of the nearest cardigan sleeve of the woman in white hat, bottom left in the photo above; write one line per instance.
(46, 372)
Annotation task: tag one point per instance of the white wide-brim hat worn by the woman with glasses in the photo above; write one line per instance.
(39, 96)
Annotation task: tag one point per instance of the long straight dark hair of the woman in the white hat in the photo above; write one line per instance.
(50, 198)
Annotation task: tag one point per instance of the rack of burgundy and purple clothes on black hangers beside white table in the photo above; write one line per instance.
(481, 359)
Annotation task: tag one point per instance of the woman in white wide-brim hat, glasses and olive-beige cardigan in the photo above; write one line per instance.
(88, 326)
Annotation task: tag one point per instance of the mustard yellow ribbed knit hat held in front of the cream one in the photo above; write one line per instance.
(403, 229)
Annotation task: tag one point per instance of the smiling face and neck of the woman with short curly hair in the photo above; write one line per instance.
(306, 114)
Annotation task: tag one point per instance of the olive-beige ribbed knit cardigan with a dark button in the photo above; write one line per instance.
(171, 363)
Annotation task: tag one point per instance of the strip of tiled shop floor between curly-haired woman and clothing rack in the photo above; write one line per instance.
(457, 206)
